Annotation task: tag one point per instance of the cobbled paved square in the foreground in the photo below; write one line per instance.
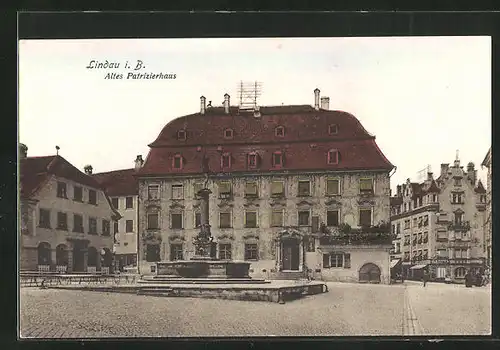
(346, 310)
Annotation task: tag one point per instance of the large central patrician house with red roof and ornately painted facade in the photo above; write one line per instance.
(284, 181)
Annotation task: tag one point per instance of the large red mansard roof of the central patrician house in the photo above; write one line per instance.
(305, 143)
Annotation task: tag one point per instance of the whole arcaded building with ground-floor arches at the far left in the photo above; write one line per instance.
(65, 218)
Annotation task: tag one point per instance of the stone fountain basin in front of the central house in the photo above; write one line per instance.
(203, 269)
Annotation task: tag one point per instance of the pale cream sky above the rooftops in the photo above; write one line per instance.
(423, 98)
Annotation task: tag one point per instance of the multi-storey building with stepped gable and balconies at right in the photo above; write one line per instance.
(439, 224)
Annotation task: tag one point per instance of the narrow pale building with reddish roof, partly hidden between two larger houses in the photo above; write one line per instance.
(121, 187)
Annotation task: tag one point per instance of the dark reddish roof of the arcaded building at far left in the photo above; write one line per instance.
(34, 171)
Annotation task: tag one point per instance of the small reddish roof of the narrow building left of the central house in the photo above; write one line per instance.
(118, 182)
